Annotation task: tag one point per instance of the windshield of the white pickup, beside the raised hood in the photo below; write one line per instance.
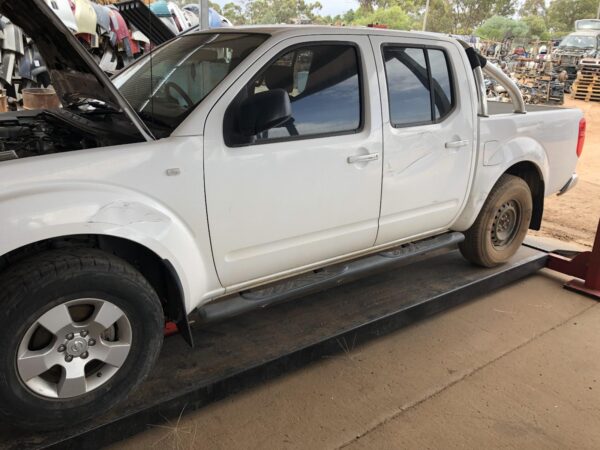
(165, 86)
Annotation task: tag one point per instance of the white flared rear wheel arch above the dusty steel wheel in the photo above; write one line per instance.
(495, 159)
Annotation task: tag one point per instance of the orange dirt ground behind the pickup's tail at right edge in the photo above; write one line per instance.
(574, 216)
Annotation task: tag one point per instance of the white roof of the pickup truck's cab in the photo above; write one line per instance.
(304, 30)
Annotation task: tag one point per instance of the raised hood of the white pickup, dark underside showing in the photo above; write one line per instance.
(74, 73)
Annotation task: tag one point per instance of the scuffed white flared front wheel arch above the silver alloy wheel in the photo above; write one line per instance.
(63, 209)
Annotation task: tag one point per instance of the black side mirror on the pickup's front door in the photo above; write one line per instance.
(264, 111)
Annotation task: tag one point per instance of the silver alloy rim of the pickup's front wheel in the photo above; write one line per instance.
(74, 348)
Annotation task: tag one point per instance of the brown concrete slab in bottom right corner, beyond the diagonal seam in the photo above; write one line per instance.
(544, 394)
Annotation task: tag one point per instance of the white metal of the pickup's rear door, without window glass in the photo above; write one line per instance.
(425, 183)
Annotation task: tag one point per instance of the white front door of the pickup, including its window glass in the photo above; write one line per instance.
(310, 189)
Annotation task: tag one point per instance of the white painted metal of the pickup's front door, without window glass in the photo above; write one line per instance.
(277, 206)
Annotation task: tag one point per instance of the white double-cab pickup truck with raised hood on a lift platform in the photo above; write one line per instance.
(231, 169)
